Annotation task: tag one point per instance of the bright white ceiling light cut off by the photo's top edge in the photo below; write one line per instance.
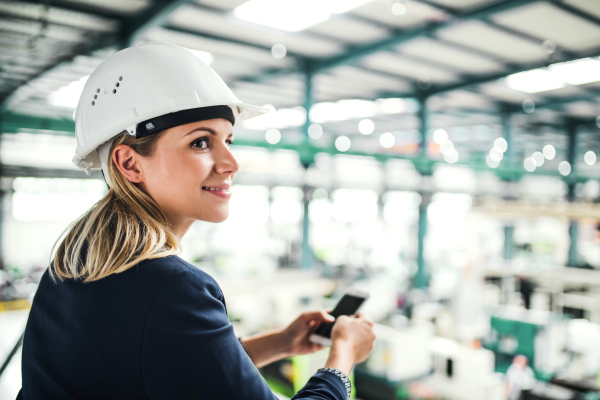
(292, 15)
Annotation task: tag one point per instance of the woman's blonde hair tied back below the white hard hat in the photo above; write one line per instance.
(122, 229)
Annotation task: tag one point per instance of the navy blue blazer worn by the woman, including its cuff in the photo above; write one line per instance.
(156, 331)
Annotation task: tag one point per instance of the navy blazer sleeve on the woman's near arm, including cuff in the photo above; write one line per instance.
(191, 352)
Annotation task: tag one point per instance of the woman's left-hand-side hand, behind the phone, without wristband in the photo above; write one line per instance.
(297, 333)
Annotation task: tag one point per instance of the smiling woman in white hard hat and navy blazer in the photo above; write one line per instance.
(118, 315)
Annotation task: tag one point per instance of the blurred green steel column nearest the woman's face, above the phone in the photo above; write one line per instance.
(307, 255)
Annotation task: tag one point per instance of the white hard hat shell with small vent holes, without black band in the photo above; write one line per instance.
(143, 82)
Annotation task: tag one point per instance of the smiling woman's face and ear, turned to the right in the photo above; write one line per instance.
(190, 172)
